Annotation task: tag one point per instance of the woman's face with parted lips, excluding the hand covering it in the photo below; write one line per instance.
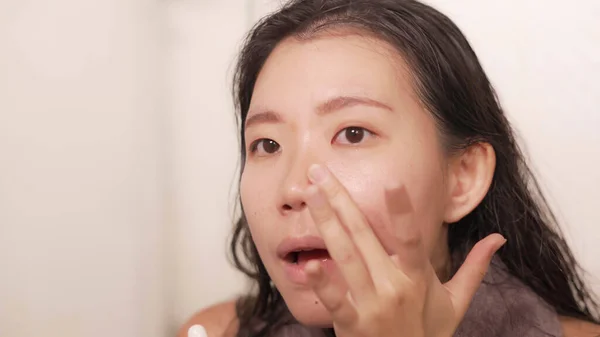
(346, 102)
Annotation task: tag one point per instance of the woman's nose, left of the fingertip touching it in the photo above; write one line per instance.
(293, 187)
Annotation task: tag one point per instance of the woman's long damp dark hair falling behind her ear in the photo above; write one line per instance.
(454, 88)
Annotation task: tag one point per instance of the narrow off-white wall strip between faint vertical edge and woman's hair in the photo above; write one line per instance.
(203, 39)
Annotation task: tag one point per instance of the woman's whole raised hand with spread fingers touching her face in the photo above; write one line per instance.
(396, 295)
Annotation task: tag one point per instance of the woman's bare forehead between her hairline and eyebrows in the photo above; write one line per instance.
(302, 73)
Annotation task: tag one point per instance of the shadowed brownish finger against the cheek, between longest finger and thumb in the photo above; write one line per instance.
(410, 253)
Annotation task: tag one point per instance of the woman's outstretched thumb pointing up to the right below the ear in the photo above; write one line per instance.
(465, 283)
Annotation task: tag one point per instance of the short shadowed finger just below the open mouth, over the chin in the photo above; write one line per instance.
(333, 297)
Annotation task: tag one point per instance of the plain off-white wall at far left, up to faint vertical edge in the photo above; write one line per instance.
(81, 176)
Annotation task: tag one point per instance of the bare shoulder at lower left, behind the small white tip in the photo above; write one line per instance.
(219, 320)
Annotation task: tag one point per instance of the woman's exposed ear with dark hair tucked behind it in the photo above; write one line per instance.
(470, 175)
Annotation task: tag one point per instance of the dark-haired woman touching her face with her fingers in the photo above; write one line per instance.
(380, 176)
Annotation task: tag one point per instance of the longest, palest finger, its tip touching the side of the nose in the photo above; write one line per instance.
(372, 251)
